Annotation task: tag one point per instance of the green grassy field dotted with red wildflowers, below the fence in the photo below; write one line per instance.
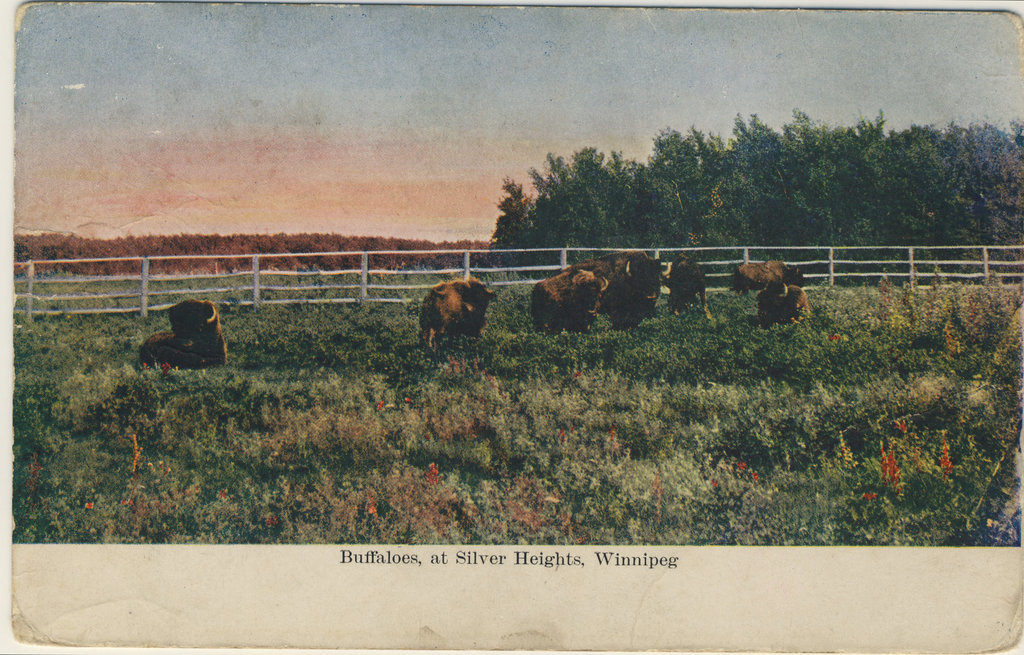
(888, 417)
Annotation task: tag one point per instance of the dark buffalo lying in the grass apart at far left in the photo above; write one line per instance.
(195, 340)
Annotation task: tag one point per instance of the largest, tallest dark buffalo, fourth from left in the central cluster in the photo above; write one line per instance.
(634, 283)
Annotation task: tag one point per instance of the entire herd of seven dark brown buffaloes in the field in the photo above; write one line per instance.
(622, 286)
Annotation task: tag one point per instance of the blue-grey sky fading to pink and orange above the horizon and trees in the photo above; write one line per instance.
(404, 121)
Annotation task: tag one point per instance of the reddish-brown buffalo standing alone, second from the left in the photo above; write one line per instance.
(453, 309)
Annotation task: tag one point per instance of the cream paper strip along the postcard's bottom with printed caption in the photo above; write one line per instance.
(710, 599)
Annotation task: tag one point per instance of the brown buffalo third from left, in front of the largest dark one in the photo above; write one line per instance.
(569, 301)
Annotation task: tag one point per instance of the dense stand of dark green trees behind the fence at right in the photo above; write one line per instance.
(809, 185)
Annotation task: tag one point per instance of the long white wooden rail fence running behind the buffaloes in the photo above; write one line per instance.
(109, 285)
